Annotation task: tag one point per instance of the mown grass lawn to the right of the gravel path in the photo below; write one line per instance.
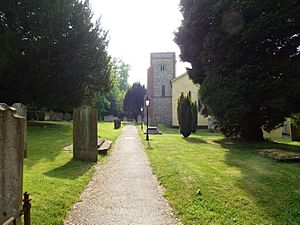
(213, 180)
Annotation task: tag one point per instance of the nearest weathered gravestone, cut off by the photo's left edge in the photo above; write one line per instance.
(12, 128)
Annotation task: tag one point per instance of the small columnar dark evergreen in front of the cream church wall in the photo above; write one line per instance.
(185, 116)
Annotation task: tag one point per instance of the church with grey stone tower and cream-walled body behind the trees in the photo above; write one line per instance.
(164, 89)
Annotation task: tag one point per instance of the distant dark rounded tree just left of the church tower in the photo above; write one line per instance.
(134, 100)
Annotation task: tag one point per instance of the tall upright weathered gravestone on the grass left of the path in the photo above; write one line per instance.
(85, 134)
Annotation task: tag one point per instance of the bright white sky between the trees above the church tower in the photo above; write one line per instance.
(137, 28)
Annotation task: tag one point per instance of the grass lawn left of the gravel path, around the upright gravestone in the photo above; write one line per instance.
(52, 178)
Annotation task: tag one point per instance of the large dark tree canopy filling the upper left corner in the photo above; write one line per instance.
(51, 54)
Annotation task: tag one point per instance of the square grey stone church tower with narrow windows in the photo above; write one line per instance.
(159, 87)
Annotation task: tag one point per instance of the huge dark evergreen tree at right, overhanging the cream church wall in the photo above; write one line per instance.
(246, 58)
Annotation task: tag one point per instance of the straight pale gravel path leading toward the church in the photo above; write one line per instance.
(124, 190)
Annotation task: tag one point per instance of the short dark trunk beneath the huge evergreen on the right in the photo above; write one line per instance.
(251, 131)
